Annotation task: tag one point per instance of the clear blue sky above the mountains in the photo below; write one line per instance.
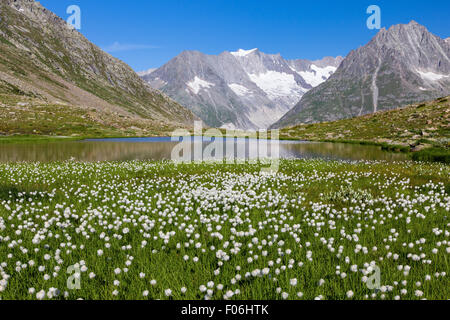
(148, 33)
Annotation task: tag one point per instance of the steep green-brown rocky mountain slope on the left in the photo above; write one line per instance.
(44, 59)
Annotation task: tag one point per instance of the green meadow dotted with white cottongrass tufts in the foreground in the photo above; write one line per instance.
(71, 210)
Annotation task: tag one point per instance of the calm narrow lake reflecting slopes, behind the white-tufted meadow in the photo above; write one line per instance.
(161, 149)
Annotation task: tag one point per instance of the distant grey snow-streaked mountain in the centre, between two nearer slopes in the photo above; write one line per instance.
(245, 89)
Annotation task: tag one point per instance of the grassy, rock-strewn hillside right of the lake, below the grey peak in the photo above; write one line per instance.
(418, 128)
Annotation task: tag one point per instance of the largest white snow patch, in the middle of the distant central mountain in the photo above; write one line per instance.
(277, 84)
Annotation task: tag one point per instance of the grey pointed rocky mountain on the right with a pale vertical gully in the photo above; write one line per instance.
(405, 64)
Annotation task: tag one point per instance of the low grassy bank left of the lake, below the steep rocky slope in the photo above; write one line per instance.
(32, 117)
